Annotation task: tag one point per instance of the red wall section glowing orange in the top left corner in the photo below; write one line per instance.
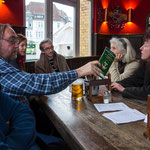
(11, 12)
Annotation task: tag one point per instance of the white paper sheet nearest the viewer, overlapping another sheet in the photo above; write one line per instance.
(125, 116)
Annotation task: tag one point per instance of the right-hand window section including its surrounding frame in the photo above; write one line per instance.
(65, 15)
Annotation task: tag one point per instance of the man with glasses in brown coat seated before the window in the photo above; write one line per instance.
(49, 60)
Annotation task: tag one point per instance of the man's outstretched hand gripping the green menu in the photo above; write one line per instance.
(89, 69)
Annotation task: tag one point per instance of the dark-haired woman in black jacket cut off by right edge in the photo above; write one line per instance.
(138, 85)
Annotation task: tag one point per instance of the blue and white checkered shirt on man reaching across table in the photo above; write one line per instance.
(19, 84)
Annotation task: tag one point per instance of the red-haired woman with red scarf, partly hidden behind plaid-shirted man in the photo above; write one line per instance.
(20, 56)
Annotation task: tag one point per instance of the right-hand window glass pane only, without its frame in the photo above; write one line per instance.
(63, 29)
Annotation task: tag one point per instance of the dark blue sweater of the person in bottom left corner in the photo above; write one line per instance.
(20, 134)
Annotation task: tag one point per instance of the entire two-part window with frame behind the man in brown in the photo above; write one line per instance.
(39, 26)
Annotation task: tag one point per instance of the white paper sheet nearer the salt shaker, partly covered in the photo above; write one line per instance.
(111, 107)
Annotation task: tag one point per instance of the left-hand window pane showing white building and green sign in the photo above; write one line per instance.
(35, 20)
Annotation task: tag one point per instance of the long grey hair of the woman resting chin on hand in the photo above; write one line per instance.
(130, 54)
